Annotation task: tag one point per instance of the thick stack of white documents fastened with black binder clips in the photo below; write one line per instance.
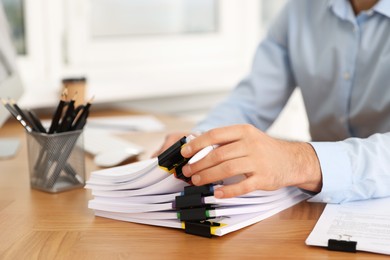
(144, 193)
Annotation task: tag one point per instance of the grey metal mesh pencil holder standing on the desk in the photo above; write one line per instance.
(56, 161)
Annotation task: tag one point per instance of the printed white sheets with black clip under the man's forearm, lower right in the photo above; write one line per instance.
(366, 222)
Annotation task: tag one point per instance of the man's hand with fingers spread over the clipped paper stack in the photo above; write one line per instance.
(267, 163)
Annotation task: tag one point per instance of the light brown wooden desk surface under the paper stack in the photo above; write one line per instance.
(38, 225)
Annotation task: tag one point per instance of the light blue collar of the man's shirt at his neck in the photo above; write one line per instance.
(344, 10)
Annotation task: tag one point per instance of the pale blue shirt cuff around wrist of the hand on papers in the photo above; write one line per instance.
(336, 172)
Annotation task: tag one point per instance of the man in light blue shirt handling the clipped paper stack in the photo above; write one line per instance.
(338, 53)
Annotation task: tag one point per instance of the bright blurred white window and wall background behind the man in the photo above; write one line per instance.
(171, 56)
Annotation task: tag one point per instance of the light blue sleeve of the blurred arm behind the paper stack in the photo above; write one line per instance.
(260, 97)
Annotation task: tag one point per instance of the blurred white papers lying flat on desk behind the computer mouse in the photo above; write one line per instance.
(138, 123)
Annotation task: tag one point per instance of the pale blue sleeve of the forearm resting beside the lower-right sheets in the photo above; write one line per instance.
(354, 169)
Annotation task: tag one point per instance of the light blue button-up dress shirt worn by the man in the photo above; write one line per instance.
(341, 62)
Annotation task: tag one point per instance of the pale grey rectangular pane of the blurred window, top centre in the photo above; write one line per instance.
(123, 18)
